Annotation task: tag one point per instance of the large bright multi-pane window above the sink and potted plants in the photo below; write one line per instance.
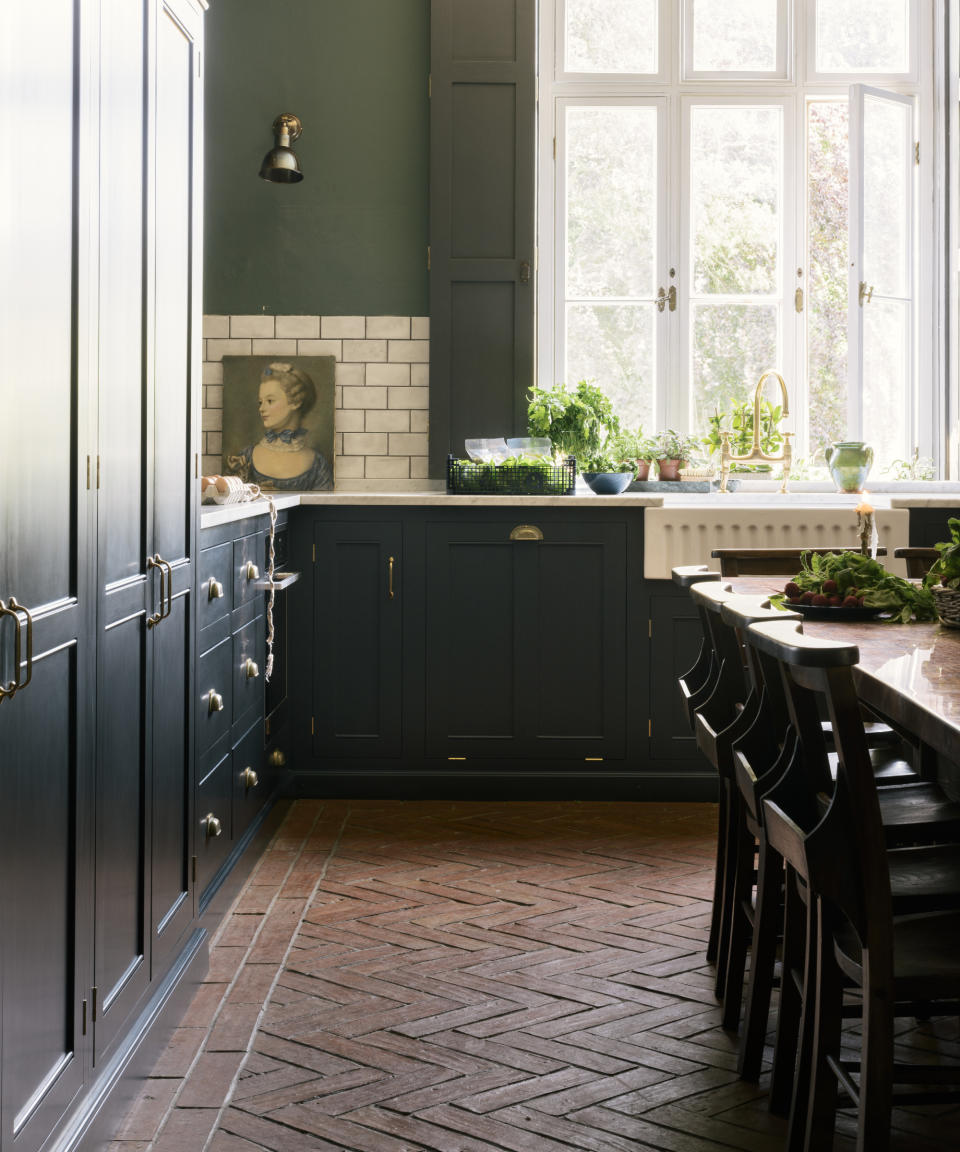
(725, 196)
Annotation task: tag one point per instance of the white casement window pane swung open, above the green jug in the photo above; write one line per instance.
(882, 295)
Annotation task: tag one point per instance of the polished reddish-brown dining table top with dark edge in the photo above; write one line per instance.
(910, 673)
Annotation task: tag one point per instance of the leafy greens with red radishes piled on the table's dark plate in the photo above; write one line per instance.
(850, 580)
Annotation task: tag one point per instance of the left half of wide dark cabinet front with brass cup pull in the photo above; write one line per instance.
(473, 632)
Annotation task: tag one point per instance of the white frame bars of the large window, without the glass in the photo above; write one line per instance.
(934, 401)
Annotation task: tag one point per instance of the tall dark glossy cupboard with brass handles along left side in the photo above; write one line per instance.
(101, 105)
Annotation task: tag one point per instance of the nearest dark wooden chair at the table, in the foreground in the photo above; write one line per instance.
(858, 914)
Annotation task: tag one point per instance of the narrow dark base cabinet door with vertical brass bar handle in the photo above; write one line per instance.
(359, 674)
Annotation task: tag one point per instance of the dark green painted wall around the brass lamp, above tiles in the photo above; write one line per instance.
(351, 238)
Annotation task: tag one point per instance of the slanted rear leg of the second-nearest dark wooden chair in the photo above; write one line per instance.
(764, 961)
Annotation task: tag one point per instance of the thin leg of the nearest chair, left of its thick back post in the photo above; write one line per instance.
(828, 1020)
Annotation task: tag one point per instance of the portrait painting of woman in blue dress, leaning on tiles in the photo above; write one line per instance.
(286, 458)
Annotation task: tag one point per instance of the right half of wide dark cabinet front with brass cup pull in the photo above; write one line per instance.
(573, 656)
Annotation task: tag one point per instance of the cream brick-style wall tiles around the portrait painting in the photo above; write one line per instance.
(382, 388)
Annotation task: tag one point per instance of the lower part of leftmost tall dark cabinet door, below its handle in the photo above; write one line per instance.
(43, 754)
